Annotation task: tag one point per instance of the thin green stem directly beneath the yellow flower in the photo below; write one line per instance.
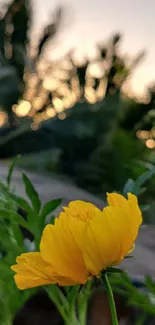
(110, 298)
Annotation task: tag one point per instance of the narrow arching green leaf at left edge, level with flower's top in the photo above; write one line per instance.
(13, 217)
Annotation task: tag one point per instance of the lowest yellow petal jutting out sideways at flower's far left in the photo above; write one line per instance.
(32, 271)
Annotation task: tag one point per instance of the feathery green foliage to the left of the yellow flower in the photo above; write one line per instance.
(12, 242)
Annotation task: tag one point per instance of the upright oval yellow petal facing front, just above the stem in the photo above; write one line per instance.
(101, 245)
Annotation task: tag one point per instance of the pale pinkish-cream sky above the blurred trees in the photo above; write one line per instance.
(89, 21)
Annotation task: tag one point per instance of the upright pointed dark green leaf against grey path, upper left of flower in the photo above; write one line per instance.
(32, 193)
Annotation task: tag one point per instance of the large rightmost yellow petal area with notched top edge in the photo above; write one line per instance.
(110, 235)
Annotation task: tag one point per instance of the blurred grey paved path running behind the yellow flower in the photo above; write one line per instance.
(51, 188)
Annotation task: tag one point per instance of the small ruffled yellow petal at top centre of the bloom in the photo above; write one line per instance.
(80, 210)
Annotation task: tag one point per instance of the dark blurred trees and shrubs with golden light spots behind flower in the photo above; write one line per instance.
(73, 118)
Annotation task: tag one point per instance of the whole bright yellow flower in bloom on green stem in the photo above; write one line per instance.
(83, 242)
